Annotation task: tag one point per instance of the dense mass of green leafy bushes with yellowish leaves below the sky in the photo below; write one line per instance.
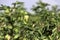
(18, 24)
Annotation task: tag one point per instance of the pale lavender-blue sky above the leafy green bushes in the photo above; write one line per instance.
(28, 3)
